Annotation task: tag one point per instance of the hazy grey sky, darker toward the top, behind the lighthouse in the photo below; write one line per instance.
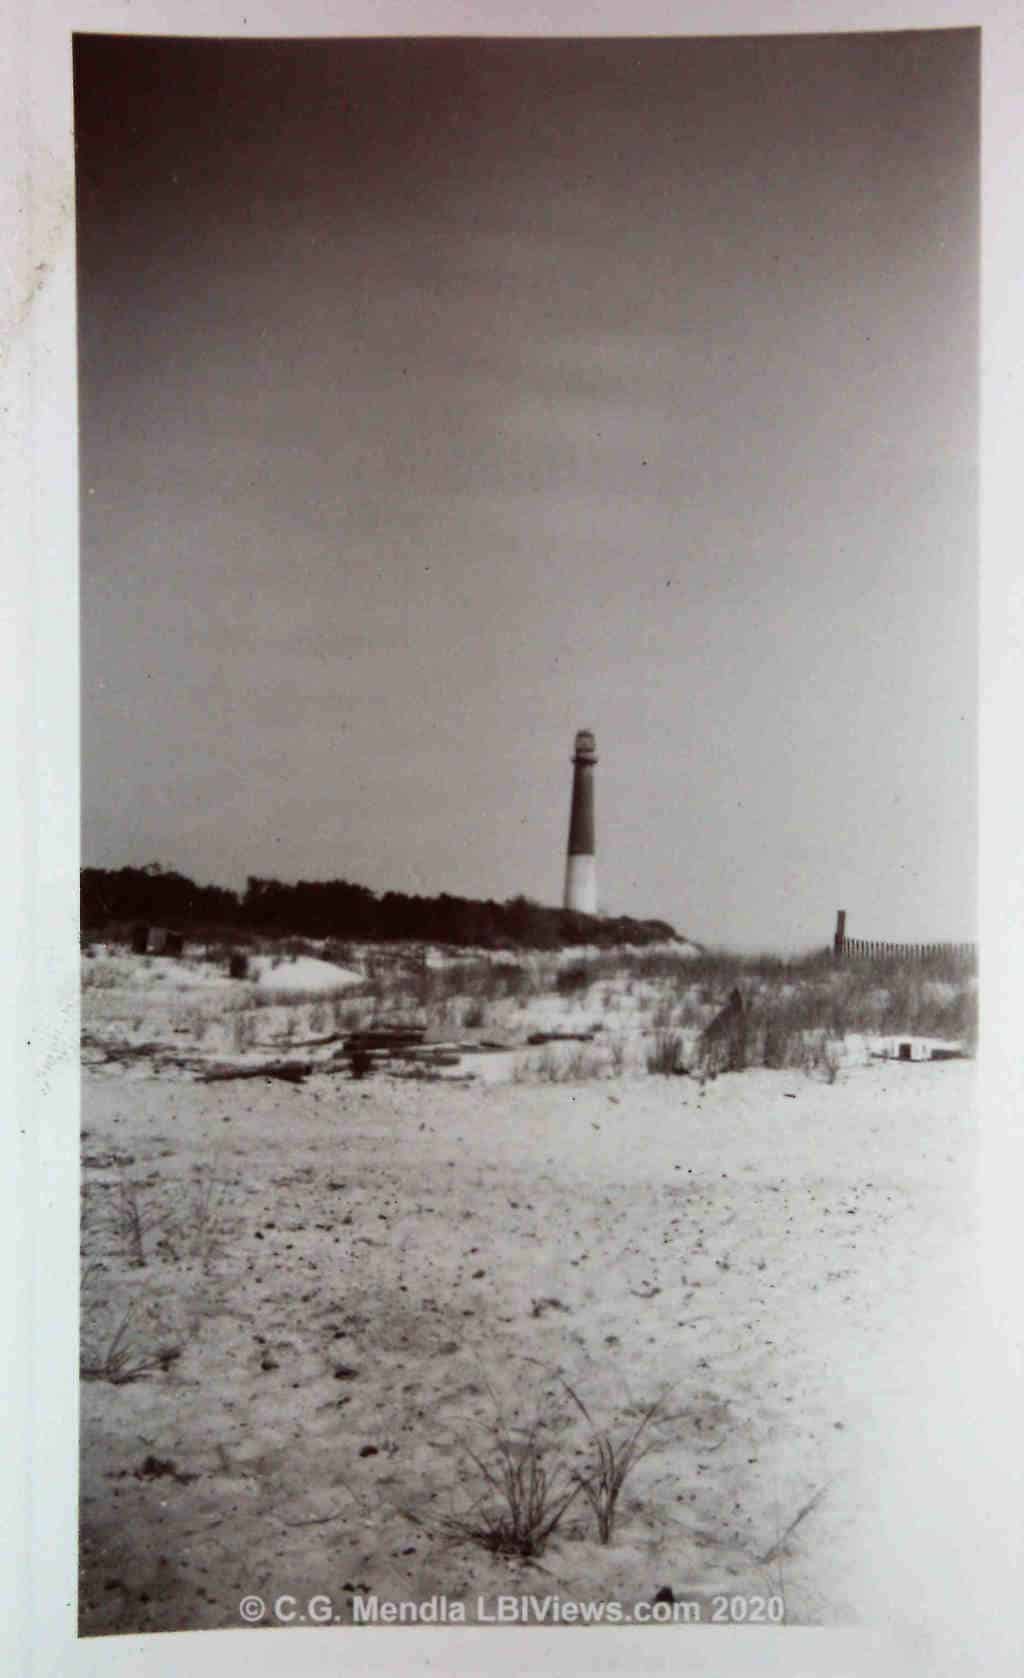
(441, 399)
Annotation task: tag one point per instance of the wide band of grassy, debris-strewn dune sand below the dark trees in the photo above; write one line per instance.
(592, 1014)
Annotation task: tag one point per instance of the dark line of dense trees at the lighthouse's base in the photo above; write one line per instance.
(113, 900)
